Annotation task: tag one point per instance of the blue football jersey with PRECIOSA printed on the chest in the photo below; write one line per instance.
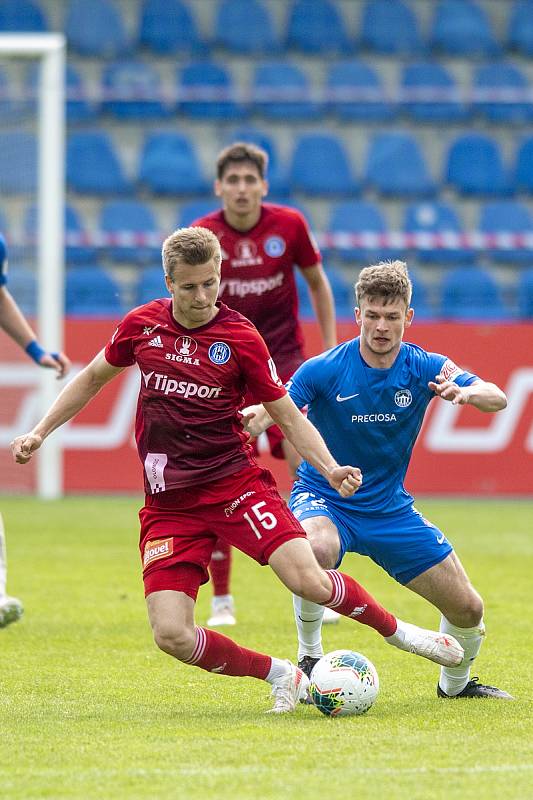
(368, 417)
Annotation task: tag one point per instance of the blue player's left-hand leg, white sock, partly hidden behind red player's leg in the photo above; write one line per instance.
(323, 537)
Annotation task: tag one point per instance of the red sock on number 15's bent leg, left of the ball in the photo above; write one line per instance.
(217, 653)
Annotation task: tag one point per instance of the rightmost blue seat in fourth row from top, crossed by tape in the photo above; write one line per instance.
(507, 216)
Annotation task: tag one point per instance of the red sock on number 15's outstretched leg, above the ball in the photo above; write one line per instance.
(350, 599)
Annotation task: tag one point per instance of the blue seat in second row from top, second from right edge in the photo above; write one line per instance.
(431, 94)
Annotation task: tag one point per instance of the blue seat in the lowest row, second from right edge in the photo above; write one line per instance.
(471, 293)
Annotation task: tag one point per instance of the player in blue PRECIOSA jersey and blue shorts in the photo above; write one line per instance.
(368, 397)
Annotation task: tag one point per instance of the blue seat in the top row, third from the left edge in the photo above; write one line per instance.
(168, 27)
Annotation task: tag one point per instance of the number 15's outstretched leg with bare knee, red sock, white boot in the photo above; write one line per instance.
(297, 567)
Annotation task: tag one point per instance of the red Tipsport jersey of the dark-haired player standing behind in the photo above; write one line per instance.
(258, 276)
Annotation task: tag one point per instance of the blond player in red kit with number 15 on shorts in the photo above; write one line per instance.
(201, 476)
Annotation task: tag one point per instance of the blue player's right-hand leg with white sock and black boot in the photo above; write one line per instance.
(447, 586)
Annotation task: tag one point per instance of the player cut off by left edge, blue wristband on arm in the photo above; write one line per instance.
(13, 322)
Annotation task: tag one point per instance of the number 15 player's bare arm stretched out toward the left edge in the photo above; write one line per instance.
(75, 396)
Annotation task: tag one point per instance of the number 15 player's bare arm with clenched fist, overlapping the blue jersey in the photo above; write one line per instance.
(312, 447)
